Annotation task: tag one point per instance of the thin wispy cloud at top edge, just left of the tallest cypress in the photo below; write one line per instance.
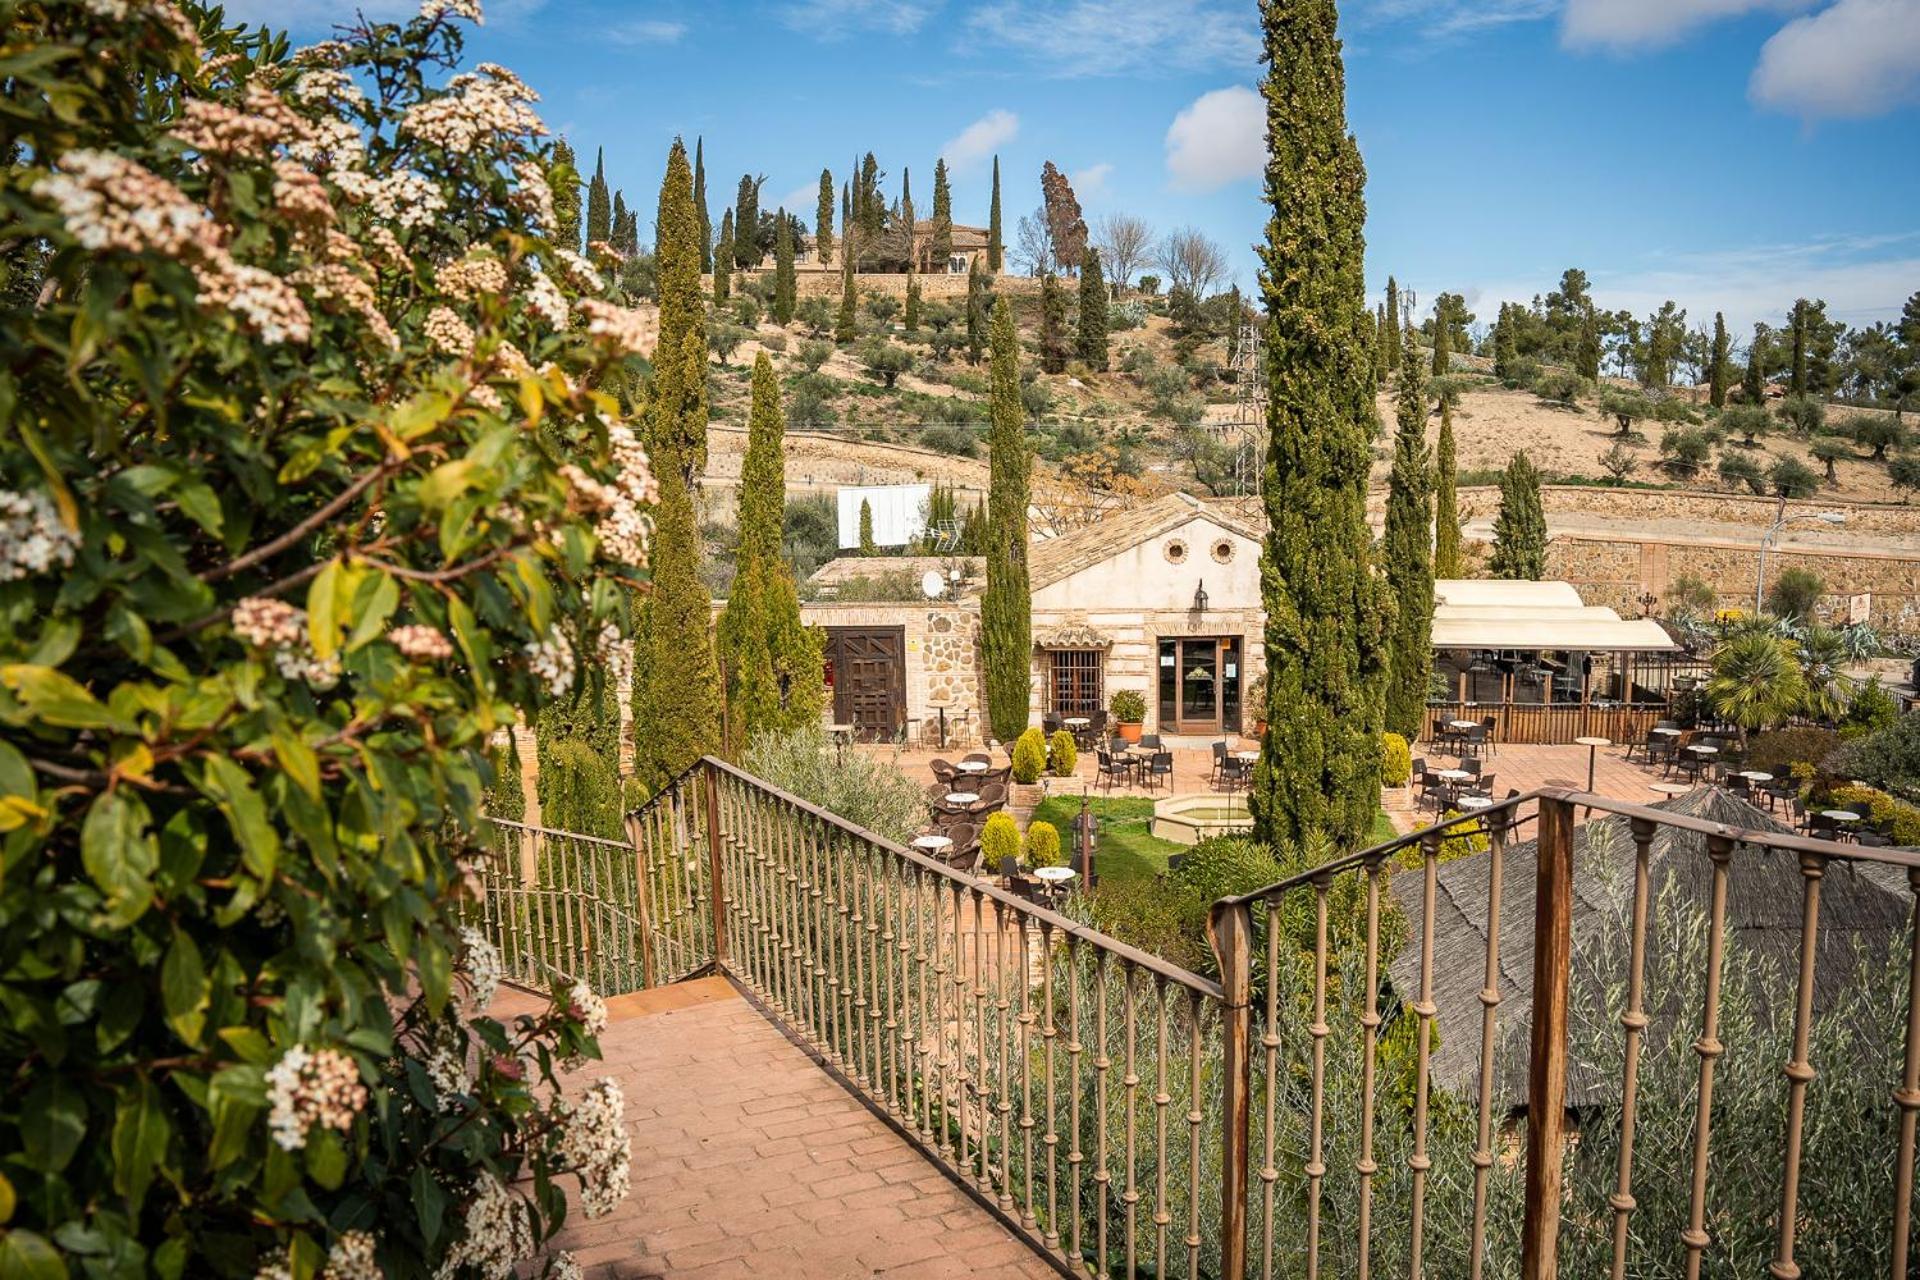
(1122, 37)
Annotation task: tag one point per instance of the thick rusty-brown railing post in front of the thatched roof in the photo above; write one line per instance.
(1547, 1064)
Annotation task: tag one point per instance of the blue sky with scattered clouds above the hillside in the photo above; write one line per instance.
(1731, 154)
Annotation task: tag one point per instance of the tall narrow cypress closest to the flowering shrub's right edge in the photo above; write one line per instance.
(681, 701)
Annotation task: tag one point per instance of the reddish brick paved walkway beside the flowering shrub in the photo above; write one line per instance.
(752, 1162)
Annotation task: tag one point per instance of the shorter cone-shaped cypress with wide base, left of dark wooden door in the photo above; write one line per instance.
(771, 659)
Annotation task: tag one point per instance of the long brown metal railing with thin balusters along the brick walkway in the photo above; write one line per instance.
(1140, 1120)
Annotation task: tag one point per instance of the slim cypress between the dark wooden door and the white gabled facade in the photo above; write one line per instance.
(1005, 609)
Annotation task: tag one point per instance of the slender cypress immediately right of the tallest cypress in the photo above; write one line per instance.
(1408, 559)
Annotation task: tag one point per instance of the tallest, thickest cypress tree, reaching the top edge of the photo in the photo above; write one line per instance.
(1320, 763)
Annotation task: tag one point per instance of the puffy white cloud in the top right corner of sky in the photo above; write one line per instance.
(1856, 59)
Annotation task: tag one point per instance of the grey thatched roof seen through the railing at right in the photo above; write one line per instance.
(1860, 905)
